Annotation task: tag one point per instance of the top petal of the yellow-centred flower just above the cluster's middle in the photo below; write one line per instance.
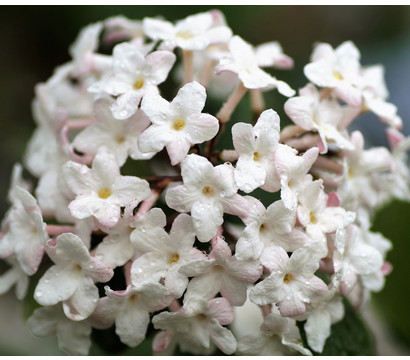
(190, 100)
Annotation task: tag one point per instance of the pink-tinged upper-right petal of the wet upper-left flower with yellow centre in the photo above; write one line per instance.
(158, 64)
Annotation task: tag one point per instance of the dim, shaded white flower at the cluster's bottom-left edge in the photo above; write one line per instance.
(73, 336)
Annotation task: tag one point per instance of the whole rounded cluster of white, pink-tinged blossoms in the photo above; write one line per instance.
(182, 242)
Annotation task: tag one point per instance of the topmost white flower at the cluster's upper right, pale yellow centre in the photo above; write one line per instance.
(338, 69)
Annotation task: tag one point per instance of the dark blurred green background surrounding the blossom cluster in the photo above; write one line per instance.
(35, 39)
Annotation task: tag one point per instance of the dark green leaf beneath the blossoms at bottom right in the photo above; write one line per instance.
(348, 337)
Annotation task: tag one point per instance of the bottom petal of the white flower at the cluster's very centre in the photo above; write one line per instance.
(207, 217)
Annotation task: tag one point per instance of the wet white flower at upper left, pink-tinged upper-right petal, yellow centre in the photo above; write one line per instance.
(133, 76)
